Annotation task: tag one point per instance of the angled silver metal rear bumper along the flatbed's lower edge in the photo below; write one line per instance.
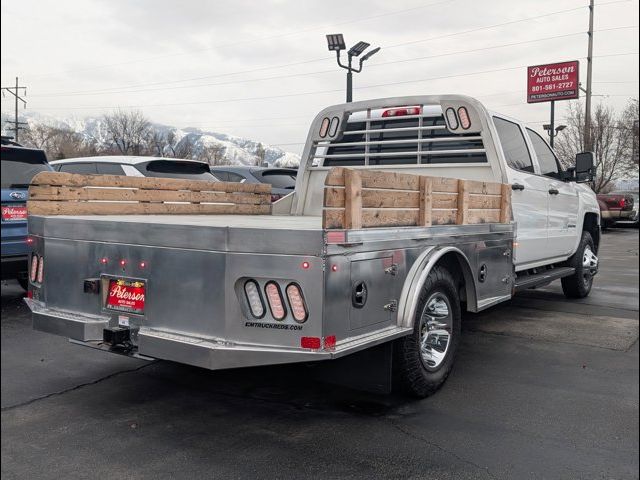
(212, 354)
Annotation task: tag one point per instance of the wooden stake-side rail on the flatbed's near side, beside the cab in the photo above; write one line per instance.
(357, 198)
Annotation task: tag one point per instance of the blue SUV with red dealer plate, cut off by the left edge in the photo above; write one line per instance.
(19, 165)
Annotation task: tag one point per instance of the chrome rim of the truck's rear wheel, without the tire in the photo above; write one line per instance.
(435, 331)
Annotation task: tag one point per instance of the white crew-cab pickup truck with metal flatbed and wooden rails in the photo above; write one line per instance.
(406, 211)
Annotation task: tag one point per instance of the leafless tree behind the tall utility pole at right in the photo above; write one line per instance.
(612, 143)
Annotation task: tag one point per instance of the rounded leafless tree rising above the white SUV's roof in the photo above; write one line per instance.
(128, 131)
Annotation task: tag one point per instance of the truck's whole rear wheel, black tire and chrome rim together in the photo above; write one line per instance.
(424, 359)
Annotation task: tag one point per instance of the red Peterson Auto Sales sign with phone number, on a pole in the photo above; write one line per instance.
(554, 81)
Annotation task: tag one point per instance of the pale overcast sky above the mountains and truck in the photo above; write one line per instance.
(261, 69)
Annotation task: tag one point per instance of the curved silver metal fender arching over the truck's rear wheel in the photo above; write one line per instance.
(417, 276)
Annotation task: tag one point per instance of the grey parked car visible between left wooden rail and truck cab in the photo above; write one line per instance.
(282, 180)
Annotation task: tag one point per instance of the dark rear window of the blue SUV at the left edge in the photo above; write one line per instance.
(19, 165)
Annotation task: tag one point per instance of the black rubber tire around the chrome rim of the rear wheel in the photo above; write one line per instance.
(412, 374)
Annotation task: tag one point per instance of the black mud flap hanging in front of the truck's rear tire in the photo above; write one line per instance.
(369, 370)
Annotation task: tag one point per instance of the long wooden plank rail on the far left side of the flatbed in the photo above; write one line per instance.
(57, 193)
